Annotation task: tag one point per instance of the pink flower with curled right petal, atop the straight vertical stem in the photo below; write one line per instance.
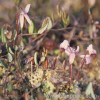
(71, 53)
